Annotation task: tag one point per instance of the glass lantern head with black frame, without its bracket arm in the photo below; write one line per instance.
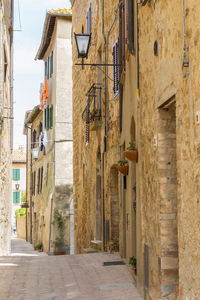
(82, 44)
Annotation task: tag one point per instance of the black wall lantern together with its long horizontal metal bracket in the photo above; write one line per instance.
(83, 42)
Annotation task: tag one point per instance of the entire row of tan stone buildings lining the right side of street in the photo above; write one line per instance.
(156, 206)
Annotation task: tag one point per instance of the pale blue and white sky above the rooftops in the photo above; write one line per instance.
(28, 73)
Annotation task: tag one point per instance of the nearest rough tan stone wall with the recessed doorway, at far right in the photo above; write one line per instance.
(161, 79)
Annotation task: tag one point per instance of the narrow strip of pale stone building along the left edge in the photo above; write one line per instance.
(6, 113)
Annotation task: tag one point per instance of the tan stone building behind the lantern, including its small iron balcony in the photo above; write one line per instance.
(96, 128)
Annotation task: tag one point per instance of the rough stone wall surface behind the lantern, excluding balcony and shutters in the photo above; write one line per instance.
(87, 170)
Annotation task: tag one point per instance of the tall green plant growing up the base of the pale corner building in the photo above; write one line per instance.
(59, 241)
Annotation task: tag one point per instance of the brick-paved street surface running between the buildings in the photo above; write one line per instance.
(29, 275)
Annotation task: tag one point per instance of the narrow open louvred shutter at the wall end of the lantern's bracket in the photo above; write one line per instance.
(116, 68)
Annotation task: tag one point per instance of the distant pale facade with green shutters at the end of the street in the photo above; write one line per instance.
(18, 181)
